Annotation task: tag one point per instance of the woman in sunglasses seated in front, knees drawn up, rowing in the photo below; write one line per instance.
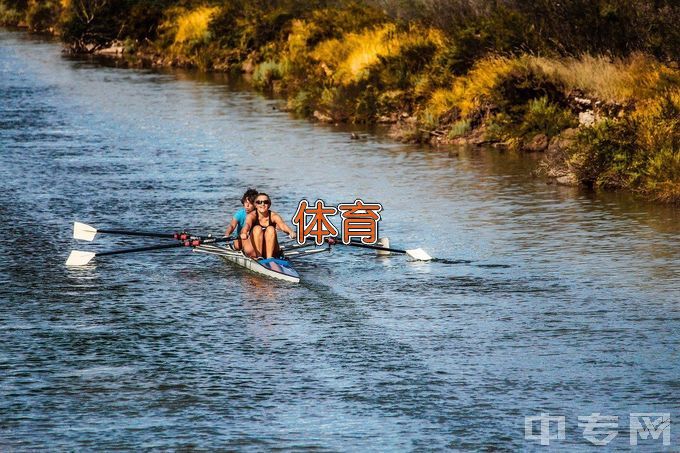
(261, 225)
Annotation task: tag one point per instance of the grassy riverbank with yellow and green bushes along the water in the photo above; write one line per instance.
(601, 104)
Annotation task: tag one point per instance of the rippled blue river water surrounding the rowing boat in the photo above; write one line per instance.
(543, 299)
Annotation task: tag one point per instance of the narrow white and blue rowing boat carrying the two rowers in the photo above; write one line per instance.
(278, 268)
